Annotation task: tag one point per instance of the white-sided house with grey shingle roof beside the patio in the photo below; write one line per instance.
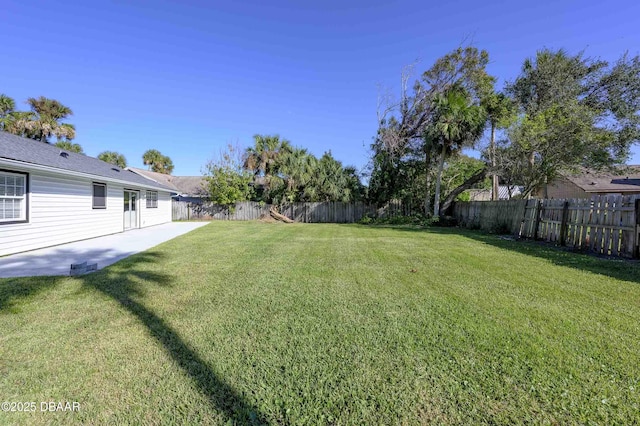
(49, 196)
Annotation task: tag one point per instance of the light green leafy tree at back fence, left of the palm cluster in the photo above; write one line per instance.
(227, 182)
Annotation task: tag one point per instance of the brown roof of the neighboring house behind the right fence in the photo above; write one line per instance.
(624, 179)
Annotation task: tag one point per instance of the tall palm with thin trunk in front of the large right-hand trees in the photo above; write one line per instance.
(456, 123)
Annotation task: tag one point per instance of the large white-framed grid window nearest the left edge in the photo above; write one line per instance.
(13, 197)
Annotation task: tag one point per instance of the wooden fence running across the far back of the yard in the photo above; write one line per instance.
(328, 212)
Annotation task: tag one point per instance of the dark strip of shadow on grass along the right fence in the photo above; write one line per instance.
(621, 269)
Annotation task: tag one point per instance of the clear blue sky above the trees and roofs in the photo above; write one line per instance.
(188, 77)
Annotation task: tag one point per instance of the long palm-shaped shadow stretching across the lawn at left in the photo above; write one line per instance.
(126, 282)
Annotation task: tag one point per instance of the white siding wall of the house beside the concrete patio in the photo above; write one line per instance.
(60, 211)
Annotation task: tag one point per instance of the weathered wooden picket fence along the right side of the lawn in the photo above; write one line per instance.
(607, 224)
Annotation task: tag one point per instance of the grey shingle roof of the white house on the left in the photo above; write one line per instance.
(31, 152)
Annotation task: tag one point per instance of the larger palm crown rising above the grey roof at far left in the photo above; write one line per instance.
(45, 120)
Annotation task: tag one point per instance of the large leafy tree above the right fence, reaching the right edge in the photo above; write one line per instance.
(572, 111)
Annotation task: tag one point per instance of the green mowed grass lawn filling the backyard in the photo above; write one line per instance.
(328, 324)
